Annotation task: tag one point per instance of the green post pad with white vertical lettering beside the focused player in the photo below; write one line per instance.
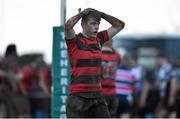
(60, 74)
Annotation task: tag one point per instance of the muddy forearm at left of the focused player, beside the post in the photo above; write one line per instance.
(72, 21)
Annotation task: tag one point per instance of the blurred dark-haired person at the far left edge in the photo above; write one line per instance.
(10, 84)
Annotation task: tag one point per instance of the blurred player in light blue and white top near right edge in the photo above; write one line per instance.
(166, 77)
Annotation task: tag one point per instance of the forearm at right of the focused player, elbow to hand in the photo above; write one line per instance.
(112, 20)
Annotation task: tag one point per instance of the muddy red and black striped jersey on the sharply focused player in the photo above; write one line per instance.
(85, 58)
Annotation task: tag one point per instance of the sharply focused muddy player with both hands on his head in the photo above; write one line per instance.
(84, 50)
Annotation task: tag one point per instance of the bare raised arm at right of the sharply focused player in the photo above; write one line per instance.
(117, 25)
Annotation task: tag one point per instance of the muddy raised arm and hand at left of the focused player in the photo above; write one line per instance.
(69, 25)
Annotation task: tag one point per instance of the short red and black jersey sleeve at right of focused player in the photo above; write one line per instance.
(103, 36)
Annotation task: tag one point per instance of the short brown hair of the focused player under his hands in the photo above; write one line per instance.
(92, 14)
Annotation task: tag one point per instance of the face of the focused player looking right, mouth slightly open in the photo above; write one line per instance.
(90, 28)
